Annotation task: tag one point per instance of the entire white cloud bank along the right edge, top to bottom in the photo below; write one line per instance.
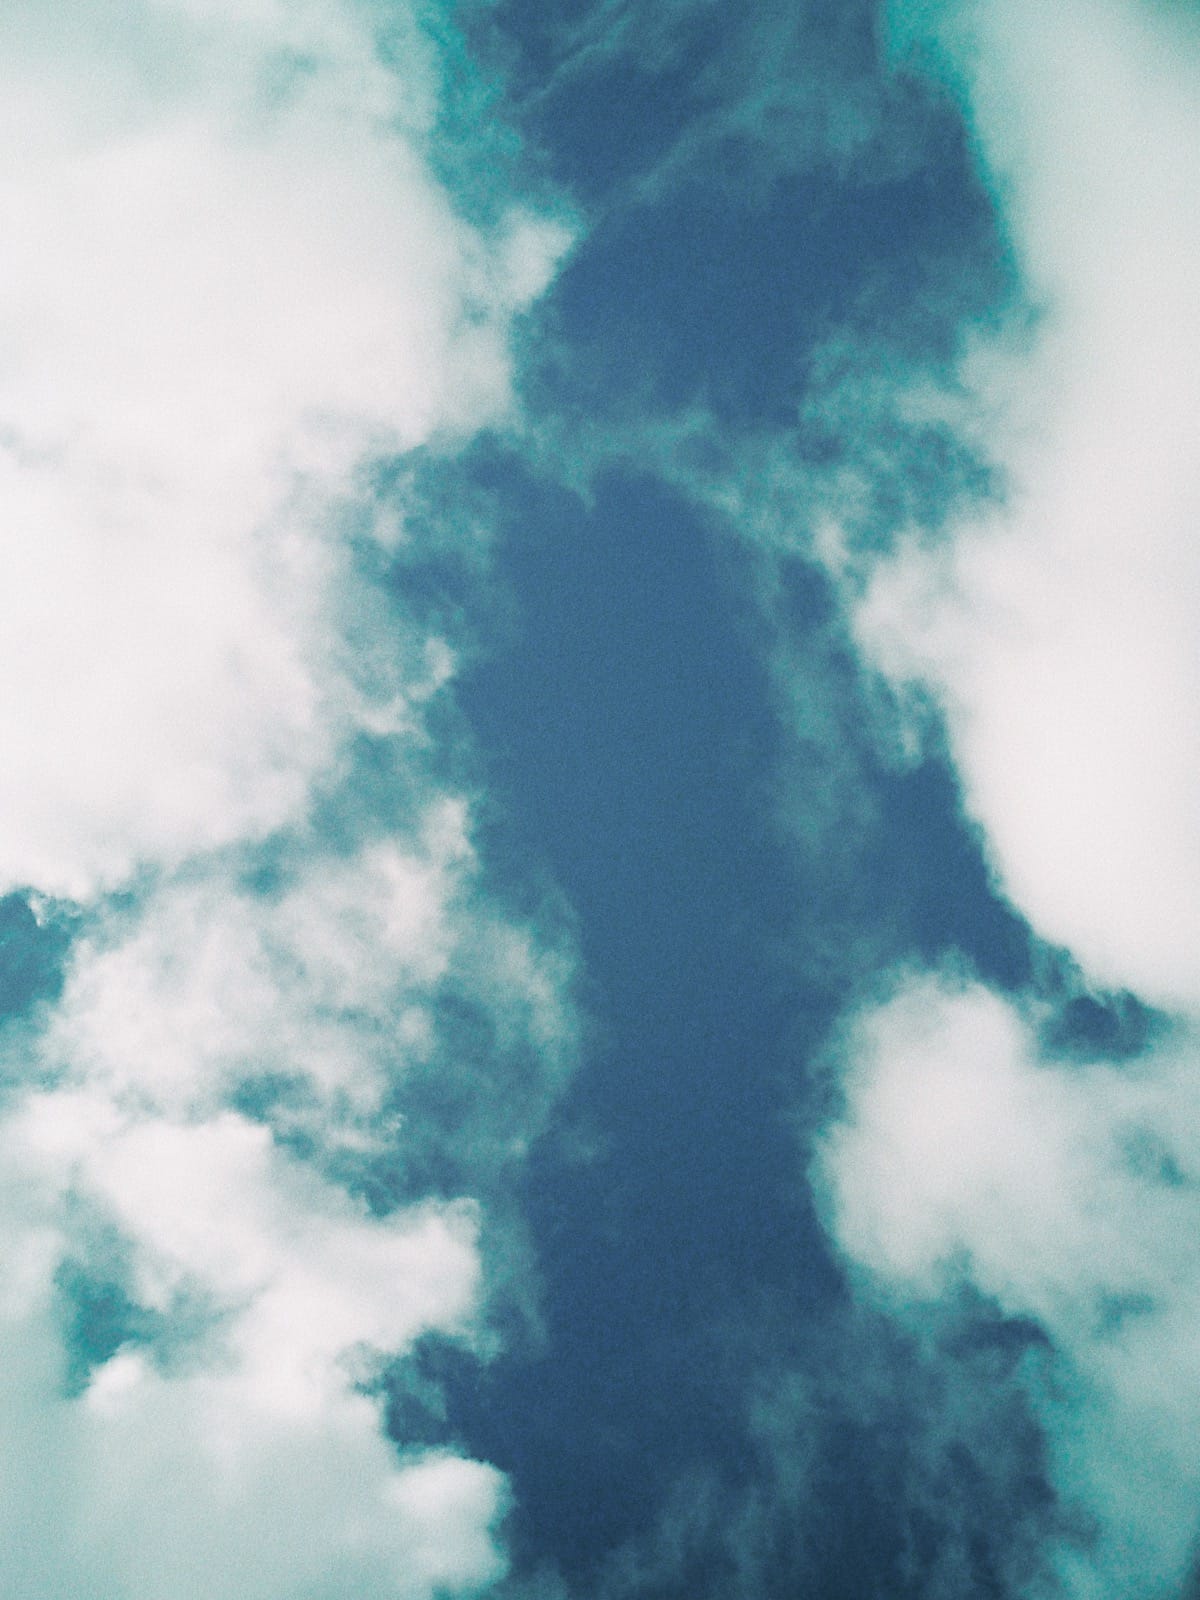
(1052, 634)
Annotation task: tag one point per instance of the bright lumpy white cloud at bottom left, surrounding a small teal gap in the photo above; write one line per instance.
(250, 1462)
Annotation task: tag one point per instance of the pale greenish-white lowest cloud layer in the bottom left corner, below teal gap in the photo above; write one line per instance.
(159, 1481)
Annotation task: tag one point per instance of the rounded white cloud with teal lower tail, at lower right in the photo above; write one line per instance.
(1070, 1194)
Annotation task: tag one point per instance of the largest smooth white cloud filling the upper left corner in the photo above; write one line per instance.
(228, 273)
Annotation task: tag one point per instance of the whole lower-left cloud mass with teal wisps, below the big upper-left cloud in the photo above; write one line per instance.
(214, 1239)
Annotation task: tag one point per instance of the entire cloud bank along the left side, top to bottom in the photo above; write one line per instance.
(230, 284)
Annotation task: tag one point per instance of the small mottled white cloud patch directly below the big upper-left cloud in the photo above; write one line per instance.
(322, 983)
